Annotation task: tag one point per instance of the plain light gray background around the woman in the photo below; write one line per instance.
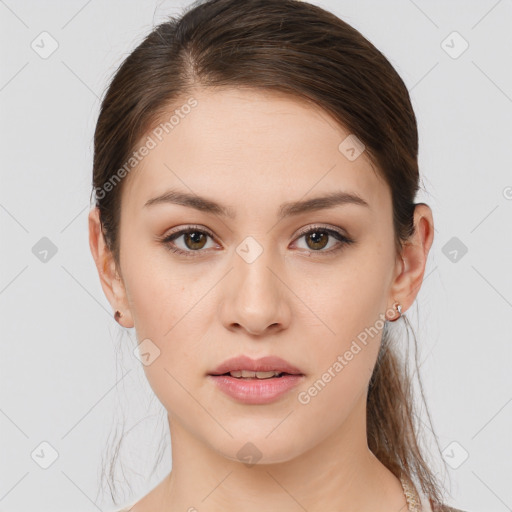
(62, 380)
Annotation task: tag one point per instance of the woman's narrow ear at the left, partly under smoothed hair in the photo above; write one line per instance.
(110, 277)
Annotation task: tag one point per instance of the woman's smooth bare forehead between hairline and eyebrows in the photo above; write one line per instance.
(236, 143)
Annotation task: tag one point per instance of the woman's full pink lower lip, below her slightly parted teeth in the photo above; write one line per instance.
(256, 391)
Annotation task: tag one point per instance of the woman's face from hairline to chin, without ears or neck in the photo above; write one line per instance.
(252, 281)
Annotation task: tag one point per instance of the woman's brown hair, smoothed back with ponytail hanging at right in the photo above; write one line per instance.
(297, 48)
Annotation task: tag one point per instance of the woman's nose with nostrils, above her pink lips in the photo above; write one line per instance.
(256, 297)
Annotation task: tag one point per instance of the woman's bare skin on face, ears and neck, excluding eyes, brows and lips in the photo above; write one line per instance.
(252, 151)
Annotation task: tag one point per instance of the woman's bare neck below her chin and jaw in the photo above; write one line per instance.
(340, 473)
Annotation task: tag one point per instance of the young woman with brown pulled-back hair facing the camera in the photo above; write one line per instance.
(255, 171)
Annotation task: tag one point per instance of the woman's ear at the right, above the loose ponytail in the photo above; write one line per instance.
(411, 265)
